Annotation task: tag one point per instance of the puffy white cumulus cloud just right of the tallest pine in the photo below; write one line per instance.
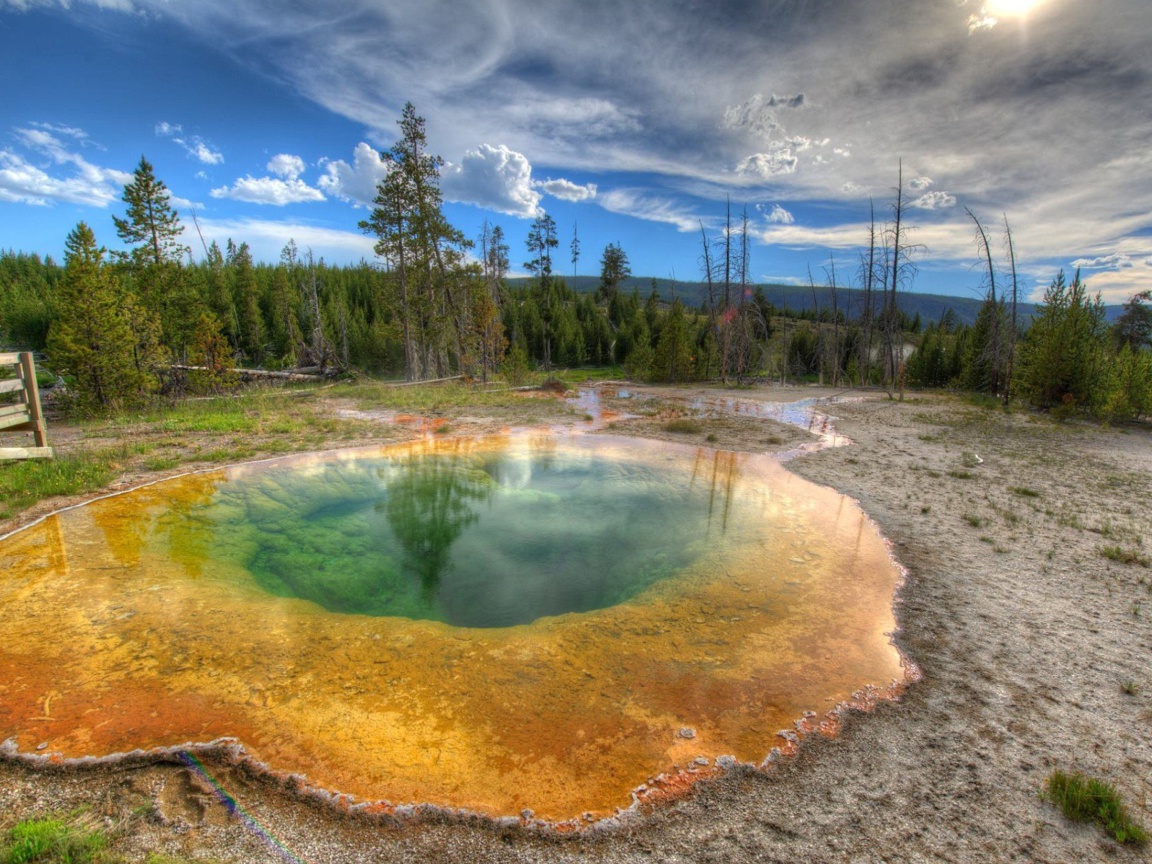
(496, 178)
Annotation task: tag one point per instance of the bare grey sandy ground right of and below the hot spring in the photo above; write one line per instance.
(1034, 650)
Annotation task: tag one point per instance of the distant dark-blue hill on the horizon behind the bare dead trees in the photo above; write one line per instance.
(798, 298)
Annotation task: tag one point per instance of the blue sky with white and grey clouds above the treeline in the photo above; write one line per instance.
(634, 124)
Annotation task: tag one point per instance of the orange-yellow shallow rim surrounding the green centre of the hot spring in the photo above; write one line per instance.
(122, 630)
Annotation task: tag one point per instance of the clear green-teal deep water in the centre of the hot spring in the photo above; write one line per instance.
(491, 539)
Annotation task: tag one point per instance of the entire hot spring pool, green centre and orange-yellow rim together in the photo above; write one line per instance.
(527, 623)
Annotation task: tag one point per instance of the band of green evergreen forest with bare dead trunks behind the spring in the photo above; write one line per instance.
(125, 328)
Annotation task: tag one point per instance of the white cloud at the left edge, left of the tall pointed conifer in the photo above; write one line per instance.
(89, 185)
